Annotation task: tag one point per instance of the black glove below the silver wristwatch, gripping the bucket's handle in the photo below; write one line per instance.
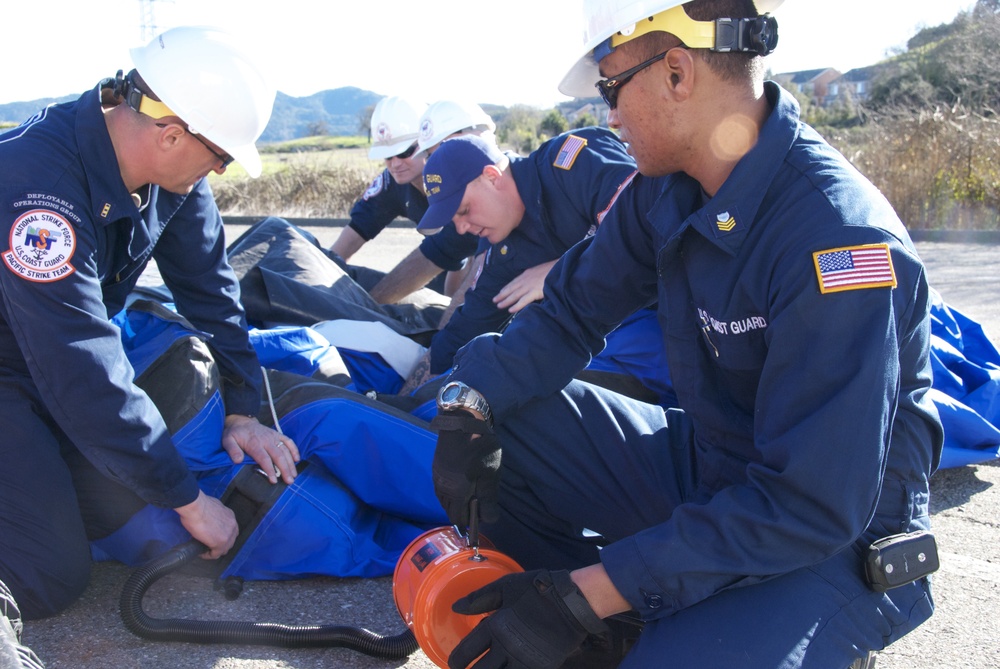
(466, 467)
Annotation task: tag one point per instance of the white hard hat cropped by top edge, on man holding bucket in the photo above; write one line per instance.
(604, 18)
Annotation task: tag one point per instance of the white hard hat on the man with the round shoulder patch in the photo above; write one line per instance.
(213, 85)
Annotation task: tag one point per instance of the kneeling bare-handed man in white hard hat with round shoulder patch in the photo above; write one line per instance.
(92, 190)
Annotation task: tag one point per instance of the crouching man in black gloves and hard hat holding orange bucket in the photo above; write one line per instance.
(747, 530)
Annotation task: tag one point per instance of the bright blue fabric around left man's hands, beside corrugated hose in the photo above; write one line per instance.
(366, 494)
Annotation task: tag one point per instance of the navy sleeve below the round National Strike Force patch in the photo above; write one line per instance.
(75, 358)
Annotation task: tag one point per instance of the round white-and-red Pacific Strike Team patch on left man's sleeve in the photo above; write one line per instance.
(42, 243)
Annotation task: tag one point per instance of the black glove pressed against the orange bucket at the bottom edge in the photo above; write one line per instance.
(541, 618)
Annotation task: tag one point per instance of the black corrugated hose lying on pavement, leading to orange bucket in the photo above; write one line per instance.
(264, 634)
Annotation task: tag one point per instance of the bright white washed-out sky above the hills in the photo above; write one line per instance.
(503, 52)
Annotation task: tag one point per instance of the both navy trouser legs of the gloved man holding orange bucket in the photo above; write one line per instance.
(587, 458)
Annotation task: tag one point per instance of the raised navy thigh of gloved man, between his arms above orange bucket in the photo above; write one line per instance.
(583, 461)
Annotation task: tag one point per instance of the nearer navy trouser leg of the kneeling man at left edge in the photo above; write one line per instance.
(44, 554)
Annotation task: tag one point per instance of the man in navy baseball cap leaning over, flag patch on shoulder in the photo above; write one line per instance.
(530, 210)
